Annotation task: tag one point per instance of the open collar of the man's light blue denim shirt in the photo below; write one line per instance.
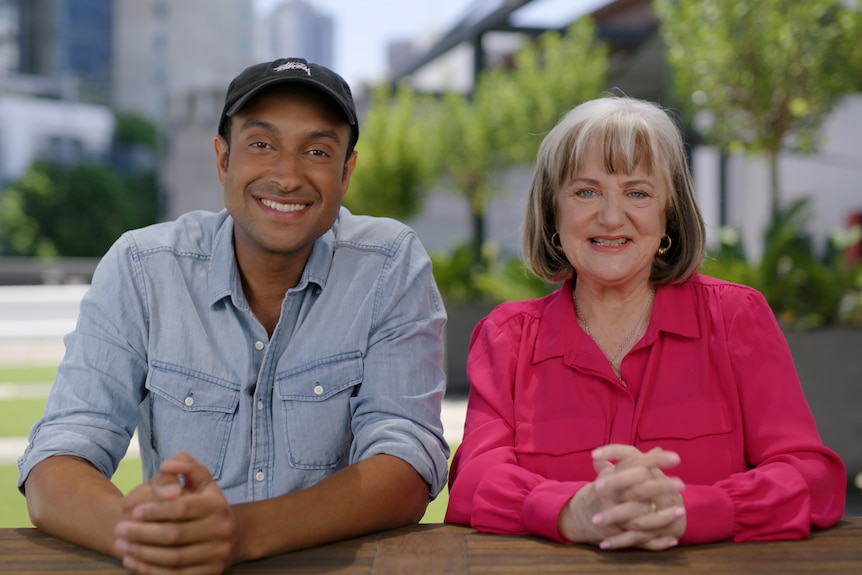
(224, 279)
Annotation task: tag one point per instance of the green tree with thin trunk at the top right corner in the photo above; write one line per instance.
(767, 72)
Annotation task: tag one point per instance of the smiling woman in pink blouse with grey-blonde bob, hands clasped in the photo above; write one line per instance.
(641, 404)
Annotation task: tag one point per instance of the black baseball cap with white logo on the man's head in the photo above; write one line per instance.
(284, 71)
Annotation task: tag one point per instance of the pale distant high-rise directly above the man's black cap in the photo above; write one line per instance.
(296, 28)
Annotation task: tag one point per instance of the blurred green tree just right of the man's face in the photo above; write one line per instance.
(395, 164)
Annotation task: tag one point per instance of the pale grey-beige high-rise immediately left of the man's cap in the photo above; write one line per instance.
(173, 61)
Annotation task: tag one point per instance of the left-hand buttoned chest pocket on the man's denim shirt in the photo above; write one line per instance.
(191, 412)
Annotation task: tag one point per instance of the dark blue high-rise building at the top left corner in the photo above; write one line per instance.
(63, 39)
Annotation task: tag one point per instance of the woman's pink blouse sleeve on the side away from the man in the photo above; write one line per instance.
(795, 481)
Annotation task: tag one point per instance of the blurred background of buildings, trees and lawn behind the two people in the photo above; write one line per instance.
(108, 109)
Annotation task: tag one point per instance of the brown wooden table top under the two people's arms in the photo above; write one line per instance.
(448, 549)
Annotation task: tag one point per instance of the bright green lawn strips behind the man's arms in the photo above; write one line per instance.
(16, 417)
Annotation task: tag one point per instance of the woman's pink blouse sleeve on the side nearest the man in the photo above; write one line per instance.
(488, 490)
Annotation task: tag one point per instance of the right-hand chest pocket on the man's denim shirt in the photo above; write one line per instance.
(315, 401)
